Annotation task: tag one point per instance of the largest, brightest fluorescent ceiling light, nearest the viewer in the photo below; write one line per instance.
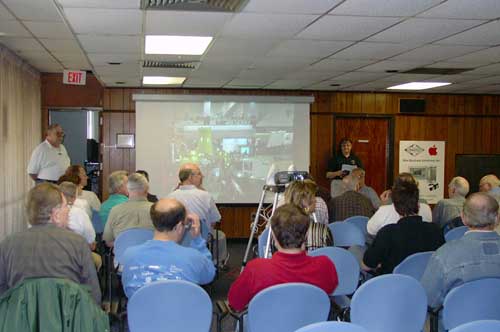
(187, 45)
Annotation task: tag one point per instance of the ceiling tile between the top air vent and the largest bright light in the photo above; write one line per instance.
(181, 23)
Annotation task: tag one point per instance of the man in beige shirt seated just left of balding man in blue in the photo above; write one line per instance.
(132, 214)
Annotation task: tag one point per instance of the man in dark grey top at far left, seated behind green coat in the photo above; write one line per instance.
(47, 249)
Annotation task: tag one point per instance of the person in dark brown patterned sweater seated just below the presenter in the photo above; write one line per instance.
(350, 203)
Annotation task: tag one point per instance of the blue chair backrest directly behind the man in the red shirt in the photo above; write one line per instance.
(287, 307)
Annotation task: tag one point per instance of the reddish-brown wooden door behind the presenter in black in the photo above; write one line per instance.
(371, 143)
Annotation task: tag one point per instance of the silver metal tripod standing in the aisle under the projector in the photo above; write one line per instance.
(266, 214)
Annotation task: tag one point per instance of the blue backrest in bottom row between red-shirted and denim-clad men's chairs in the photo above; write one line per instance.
(390, 303)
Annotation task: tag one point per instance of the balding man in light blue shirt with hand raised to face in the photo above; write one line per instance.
(162, 257)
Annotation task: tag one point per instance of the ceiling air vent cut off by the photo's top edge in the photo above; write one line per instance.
(195, 5)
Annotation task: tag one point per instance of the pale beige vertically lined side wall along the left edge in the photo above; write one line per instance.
(20, 131)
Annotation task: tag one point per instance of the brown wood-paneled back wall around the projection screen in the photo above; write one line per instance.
(467, 122)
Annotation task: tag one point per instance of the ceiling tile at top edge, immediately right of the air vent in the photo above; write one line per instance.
(290, 6)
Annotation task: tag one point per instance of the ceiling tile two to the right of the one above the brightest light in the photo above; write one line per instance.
(346, 27)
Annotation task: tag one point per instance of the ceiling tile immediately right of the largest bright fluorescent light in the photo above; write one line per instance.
(241, 47)
